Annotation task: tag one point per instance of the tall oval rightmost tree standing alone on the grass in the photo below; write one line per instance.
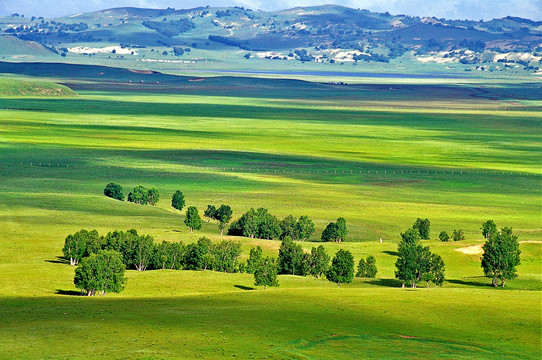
(501, 256)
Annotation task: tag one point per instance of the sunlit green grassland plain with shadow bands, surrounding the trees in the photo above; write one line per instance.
(378, 157)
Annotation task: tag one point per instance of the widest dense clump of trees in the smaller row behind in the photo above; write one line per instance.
(263, 225)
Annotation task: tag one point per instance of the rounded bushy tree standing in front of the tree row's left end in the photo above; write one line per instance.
(100, 273)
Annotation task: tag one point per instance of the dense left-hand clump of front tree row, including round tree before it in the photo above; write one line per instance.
(98, 269)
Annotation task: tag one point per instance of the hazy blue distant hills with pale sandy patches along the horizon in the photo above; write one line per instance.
(323, 34)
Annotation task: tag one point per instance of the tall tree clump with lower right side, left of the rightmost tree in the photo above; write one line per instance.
(416, 262)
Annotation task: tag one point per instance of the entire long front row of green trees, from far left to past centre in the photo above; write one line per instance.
(101, 260)
